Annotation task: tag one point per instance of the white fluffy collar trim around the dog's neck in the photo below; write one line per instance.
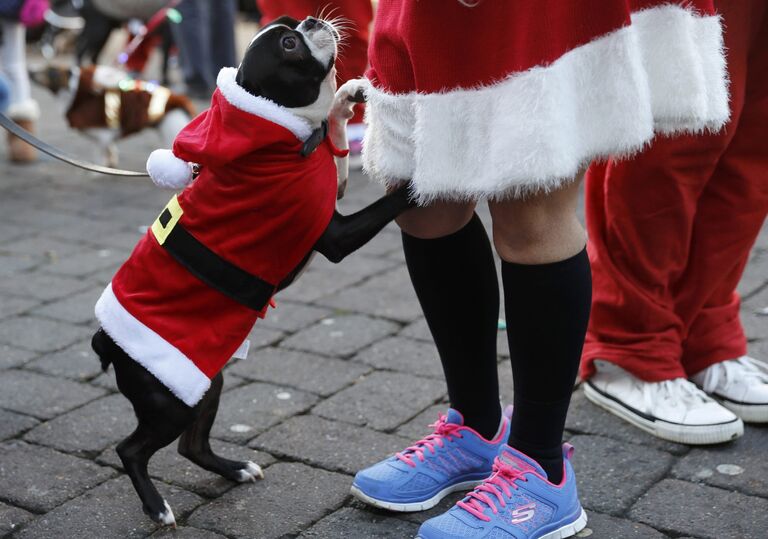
(238, 97)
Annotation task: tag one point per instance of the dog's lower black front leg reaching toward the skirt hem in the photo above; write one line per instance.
(345, 234)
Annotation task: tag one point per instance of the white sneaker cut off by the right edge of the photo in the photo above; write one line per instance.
(741, 385)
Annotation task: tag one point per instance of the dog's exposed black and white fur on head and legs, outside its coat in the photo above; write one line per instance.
(292, 65)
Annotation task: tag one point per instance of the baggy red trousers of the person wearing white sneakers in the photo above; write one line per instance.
(671, 230)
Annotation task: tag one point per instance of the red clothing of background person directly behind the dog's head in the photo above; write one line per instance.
(353, 57)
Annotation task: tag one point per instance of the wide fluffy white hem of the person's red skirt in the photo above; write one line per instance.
(536, 129)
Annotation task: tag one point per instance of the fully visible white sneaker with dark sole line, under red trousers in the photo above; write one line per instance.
(674, 410)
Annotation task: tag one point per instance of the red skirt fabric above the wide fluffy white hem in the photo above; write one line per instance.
(417, 46)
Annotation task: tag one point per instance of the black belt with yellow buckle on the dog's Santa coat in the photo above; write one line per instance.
(206, 265)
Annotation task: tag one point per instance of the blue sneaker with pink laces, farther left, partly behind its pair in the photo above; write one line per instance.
(453, 457)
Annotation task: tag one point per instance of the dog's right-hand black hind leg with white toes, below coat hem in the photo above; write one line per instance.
(195, 445)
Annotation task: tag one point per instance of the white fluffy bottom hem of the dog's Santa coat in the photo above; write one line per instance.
(169, 365)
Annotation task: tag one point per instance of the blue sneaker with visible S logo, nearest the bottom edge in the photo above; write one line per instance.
(516, 502)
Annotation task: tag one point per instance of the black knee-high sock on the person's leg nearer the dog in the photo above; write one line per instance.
(455, 281)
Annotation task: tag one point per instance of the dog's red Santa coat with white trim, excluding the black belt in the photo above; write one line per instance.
(257, 203)
